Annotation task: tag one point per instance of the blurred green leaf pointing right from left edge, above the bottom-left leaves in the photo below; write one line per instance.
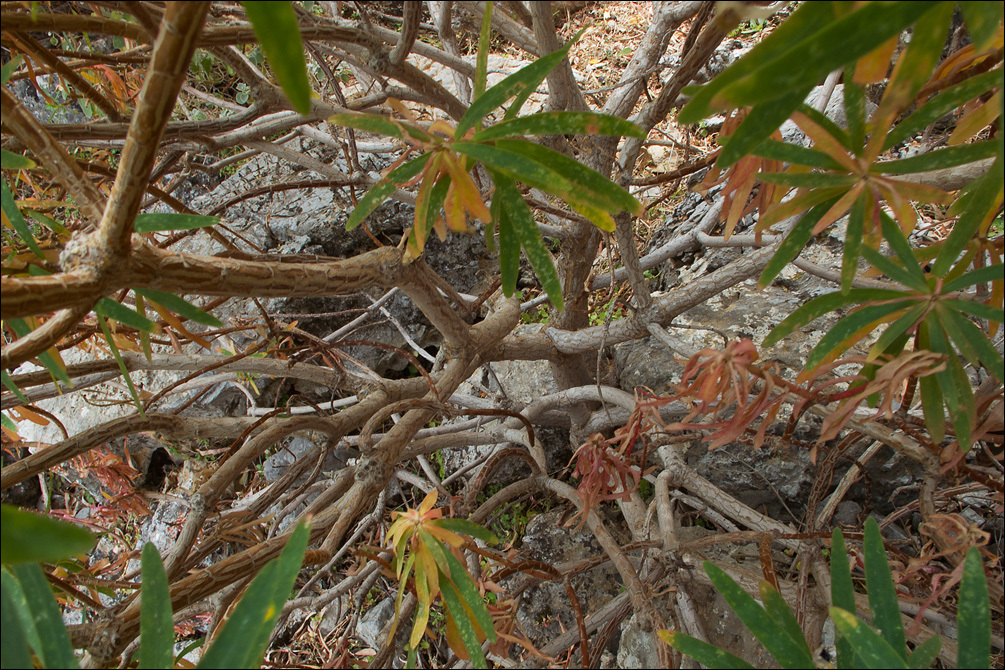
(31, 538)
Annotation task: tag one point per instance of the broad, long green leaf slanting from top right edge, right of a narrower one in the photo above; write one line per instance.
(848, 39)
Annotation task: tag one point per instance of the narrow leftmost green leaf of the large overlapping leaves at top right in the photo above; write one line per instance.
(809, 20)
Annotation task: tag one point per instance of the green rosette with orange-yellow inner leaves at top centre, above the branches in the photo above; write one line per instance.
(448, 155)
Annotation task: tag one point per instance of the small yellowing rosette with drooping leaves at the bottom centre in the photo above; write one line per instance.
(425, 544)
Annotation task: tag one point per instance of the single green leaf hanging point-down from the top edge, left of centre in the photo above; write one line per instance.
(276, 28)
